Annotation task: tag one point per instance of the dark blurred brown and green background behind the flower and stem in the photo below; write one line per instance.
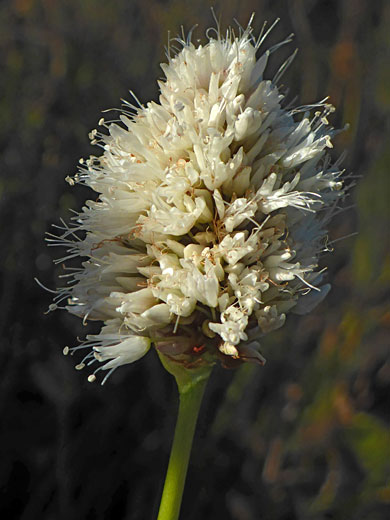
(304, 438)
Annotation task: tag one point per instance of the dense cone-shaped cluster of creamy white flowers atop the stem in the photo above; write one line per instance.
(211, 214)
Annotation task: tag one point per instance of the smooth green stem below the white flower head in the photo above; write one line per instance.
(191, 394)
